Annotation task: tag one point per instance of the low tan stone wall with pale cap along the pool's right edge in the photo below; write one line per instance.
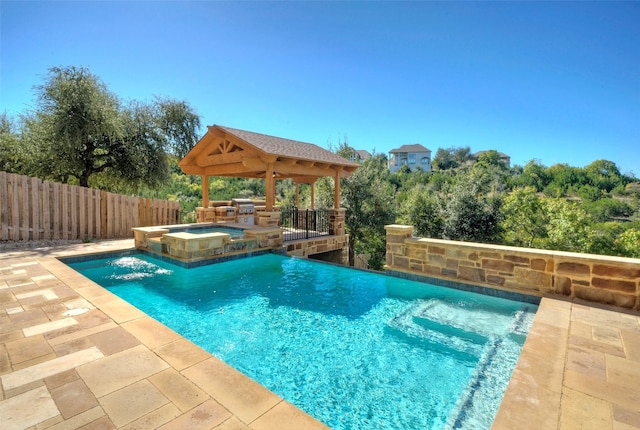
(596, 278)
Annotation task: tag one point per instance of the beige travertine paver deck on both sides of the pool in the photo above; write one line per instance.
(114, 367)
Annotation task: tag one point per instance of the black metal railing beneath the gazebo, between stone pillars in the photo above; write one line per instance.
(304, 223)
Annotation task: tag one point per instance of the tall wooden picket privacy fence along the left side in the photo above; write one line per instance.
(32, 209)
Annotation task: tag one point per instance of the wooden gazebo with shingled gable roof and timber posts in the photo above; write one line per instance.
(225, 151)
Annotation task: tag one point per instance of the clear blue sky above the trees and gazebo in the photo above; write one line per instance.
(554, 81)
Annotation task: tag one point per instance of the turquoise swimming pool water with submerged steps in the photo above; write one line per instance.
(354, 349)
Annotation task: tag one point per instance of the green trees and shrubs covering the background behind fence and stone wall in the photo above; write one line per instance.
(83, 134)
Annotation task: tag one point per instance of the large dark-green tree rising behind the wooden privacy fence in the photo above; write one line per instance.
(83, 130)
